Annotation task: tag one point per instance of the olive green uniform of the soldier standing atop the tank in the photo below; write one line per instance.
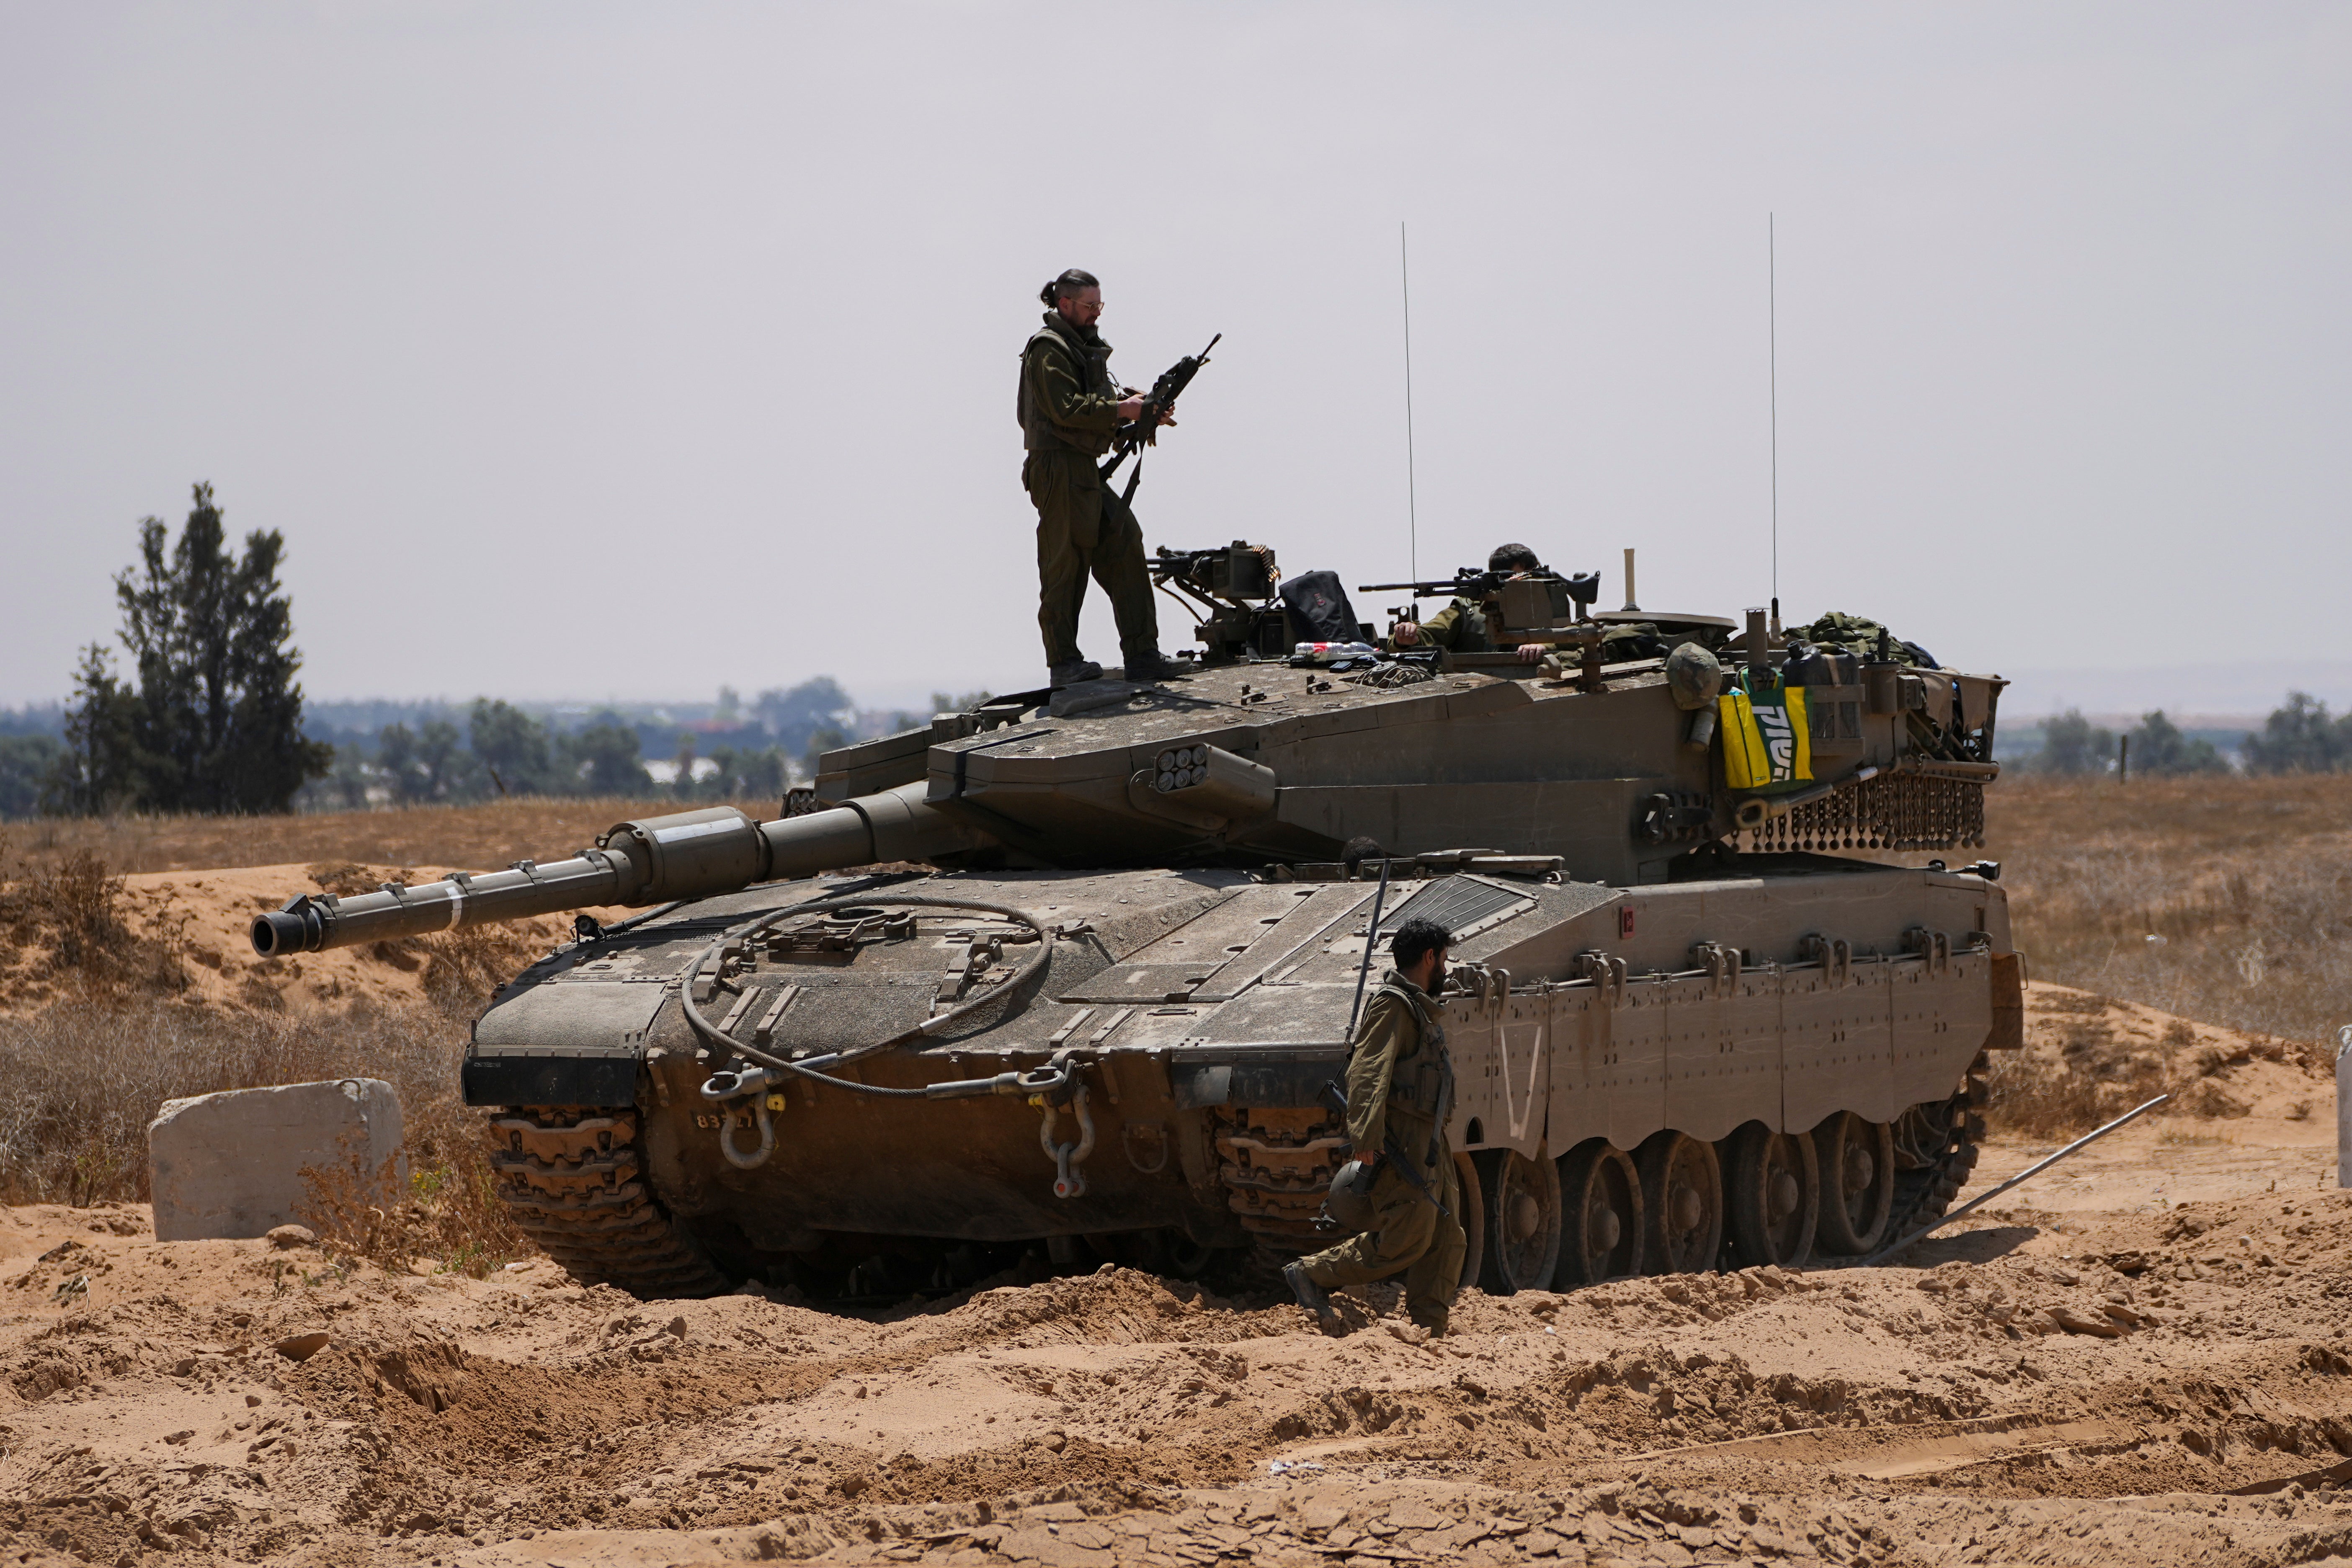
(1069, 417)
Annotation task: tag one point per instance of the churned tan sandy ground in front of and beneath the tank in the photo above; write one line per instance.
(2139, 1358)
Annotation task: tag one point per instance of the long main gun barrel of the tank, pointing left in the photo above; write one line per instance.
(660, 859)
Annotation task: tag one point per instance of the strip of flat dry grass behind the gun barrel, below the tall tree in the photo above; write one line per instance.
(469, 838)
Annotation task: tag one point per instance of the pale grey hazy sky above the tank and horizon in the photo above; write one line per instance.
(627, 351)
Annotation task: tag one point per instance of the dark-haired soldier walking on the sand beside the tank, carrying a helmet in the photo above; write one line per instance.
(1401, 1085)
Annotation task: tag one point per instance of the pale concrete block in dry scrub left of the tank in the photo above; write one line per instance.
(229, 1165)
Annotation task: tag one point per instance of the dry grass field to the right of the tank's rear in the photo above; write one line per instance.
(2245, 883)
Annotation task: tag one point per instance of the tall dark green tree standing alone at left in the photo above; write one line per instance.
(215, 716)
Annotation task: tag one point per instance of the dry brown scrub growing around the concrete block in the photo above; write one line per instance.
(86, 1083)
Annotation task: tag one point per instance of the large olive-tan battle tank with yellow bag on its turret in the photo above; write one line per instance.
(1071, 972)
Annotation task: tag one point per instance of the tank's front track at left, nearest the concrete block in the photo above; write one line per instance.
(575, 1184)
